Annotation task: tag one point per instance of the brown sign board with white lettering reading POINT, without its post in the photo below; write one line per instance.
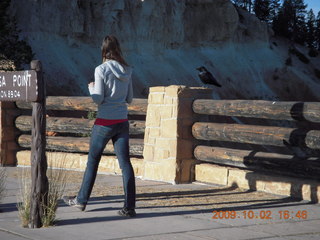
(19, 86)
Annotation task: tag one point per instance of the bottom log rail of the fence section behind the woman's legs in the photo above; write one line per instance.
(79, 144)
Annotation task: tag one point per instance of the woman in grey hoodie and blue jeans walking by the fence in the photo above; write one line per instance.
(111, 90)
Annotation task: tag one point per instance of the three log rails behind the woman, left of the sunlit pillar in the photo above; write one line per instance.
(69, 124)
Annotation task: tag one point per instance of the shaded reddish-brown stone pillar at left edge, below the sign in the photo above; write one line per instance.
(8, 133)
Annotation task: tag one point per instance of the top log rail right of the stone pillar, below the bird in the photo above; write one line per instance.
(299, 111)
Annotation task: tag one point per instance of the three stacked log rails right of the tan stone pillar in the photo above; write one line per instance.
(266, 136)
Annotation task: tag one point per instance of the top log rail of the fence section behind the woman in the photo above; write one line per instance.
(137, 107)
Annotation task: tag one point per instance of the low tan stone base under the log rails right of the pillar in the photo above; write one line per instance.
(281, 185)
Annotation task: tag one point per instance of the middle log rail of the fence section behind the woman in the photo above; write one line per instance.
(73, 125)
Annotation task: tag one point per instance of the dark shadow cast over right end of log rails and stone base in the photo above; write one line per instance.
(303, 165)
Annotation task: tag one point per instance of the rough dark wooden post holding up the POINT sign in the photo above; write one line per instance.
(39, 184)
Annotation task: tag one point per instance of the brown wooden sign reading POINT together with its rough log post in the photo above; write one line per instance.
(29, 86)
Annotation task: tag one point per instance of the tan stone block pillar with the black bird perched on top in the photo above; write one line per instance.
(168, 142)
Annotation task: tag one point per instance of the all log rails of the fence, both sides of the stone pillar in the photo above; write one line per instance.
(264, 136)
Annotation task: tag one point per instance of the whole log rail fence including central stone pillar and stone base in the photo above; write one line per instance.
(280, 140)
